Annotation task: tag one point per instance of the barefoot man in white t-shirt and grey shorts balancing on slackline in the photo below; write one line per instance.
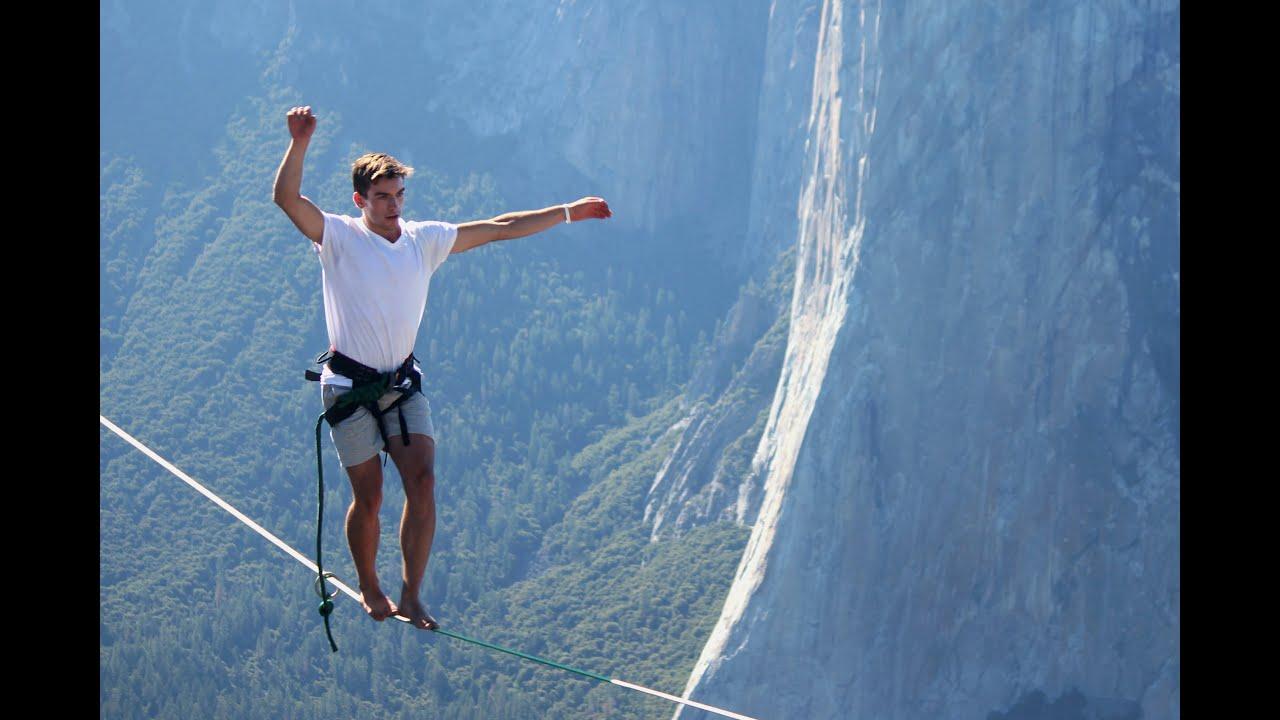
(377, 270)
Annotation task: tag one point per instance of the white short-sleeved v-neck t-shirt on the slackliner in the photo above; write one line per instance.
(376, 290)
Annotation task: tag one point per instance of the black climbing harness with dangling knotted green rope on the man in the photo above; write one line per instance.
(368, 386)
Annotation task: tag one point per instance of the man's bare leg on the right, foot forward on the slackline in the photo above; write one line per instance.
(417, 466)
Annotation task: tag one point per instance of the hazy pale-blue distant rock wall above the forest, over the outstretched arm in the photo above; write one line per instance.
(646, 101)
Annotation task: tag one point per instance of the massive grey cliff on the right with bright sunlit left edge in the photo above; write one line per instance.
(972, 459)
